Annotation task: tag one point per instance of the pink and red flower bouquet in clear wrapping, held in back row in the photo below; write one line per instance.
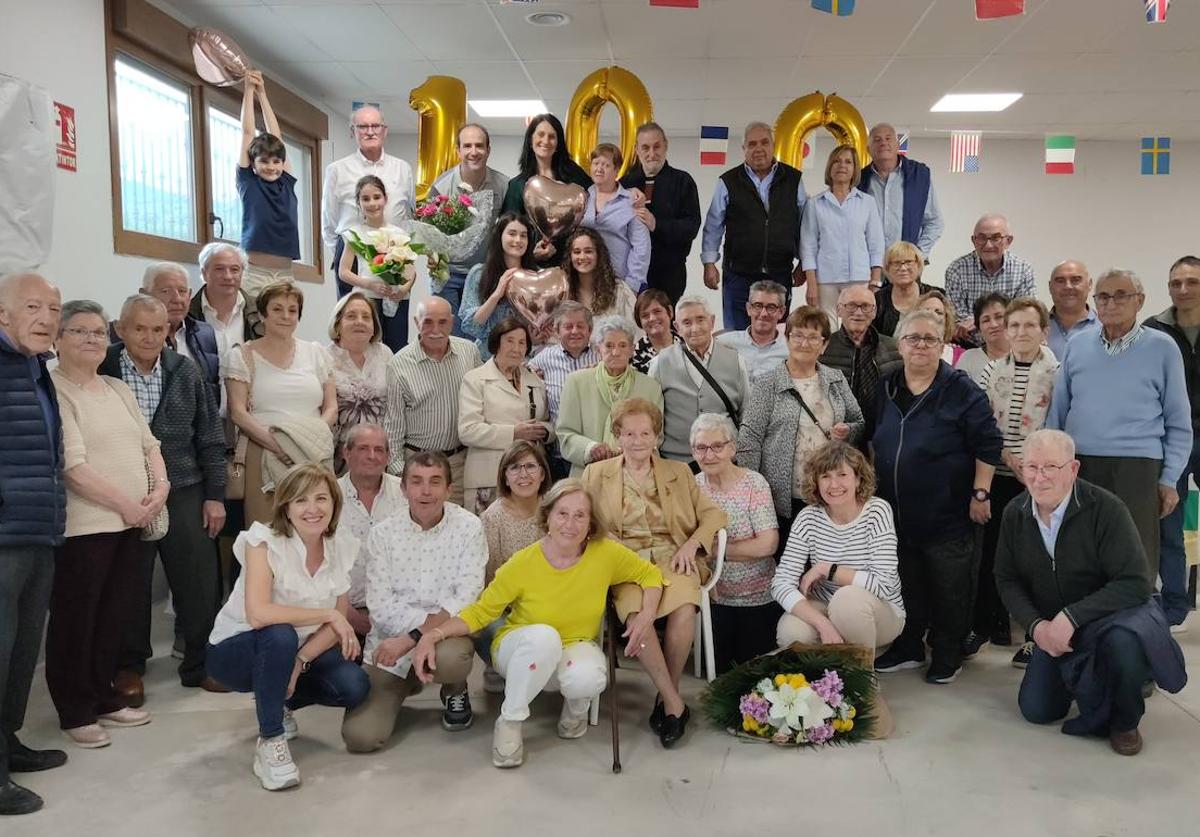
(449, 226)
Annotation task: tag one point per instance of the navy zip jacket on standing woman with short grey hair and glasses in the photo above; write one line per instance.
(925, 461)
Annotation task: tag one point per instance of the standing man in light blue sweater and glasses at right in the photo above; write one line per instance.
(1121, 395)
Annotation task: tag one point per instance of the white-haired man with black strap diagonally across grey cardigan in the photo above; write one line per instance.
(698, 376)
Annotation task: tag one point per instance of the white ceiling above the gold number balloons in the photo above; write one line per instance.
(1090, 68)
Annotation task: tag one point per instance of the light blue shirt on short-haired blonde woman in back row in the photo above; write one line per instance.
(842, 242)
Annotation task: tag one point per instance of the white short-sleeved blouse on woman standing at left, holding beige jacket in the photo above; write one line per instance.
(278, 394)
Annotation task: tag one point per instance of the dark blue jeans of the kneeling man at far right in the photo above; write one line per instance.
(1045, 697)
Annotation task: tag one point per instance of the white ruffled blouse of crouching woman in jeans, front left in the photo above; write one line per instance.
(291, 582)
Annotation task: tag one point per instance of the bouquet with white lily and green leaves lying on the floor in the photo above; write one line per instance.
(799, 697)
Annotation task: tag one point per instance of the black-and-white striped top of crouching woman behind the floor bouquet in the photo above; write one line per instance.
(867, 545)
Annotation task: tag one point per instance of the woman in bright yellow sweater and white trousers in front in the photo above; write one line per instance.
(556, 589)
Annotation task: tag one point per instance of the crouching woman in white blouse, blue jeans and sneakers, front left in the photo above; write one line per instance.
(284, 635)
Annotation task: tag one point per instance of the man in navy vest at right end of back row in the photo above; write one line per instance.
(904, 191)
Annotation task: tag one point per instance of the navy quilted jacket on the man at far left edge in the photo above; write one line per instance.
(33, 496)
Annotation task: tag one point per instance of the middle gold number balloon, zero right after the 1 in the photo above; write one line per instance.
(627, 93)
